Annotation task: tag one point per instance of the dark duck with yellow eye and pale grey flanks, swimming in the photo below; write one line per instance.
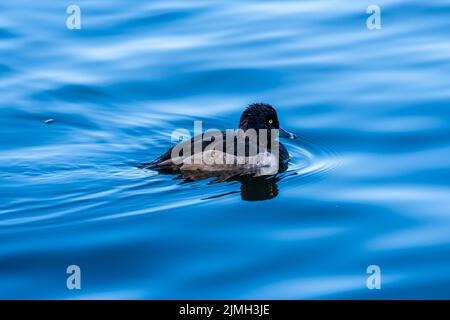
(214, 161)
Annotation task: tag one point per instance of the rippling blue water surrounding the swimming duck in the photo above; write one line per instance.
(368, 182)
